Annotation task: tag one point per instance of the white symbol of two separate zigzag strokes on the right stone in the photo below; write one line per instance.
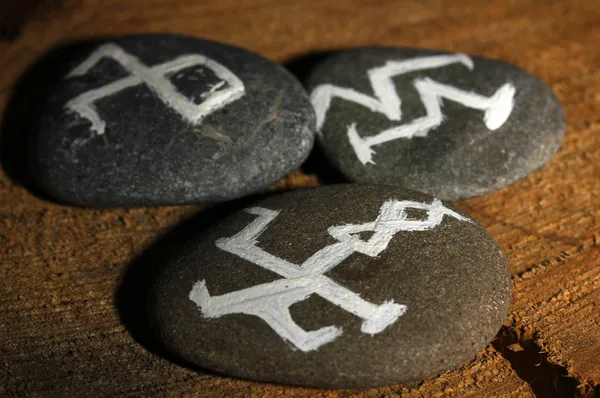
(497, 108)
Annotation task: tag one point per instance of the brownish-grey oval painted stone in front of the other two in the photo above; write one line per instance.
(338, 286)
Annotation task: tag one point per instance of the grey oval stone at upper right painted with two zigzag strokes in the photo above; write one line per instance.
(451, 125)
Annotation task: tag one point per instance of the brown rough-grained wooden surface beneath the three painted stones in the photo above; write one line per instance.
(62, 317)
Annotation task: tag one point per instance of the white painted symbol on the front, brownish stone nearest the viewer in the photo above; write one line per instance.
(271, 301)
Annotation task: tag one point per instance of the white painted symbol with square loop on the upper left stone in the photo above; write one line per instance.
(155, 78)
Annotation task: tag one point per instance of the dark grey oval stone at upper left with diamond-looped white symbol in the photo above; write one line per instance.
(165, 119)
